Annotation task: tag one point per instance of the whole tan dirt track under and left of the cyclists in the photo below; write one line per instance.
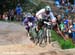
(14, 41)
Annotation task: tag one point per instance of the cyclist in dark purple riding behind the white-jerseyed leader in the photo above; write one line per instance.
(29, 21)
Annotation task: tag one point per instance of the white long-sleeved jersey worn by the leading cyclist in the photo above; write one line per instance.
(41, 14)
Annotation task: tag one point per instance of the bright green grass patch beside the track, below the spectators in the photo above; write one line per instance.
(65, 44)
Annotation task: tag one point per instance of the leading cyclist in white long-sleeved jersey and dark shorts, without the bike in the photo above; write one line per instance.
(45, 13)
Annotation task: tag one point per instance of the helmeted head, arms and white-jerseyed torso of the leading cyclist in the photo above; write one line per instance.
(45, 13)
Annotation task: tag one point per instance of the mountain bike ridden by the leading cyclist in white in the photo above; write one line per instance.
(45, 35)
